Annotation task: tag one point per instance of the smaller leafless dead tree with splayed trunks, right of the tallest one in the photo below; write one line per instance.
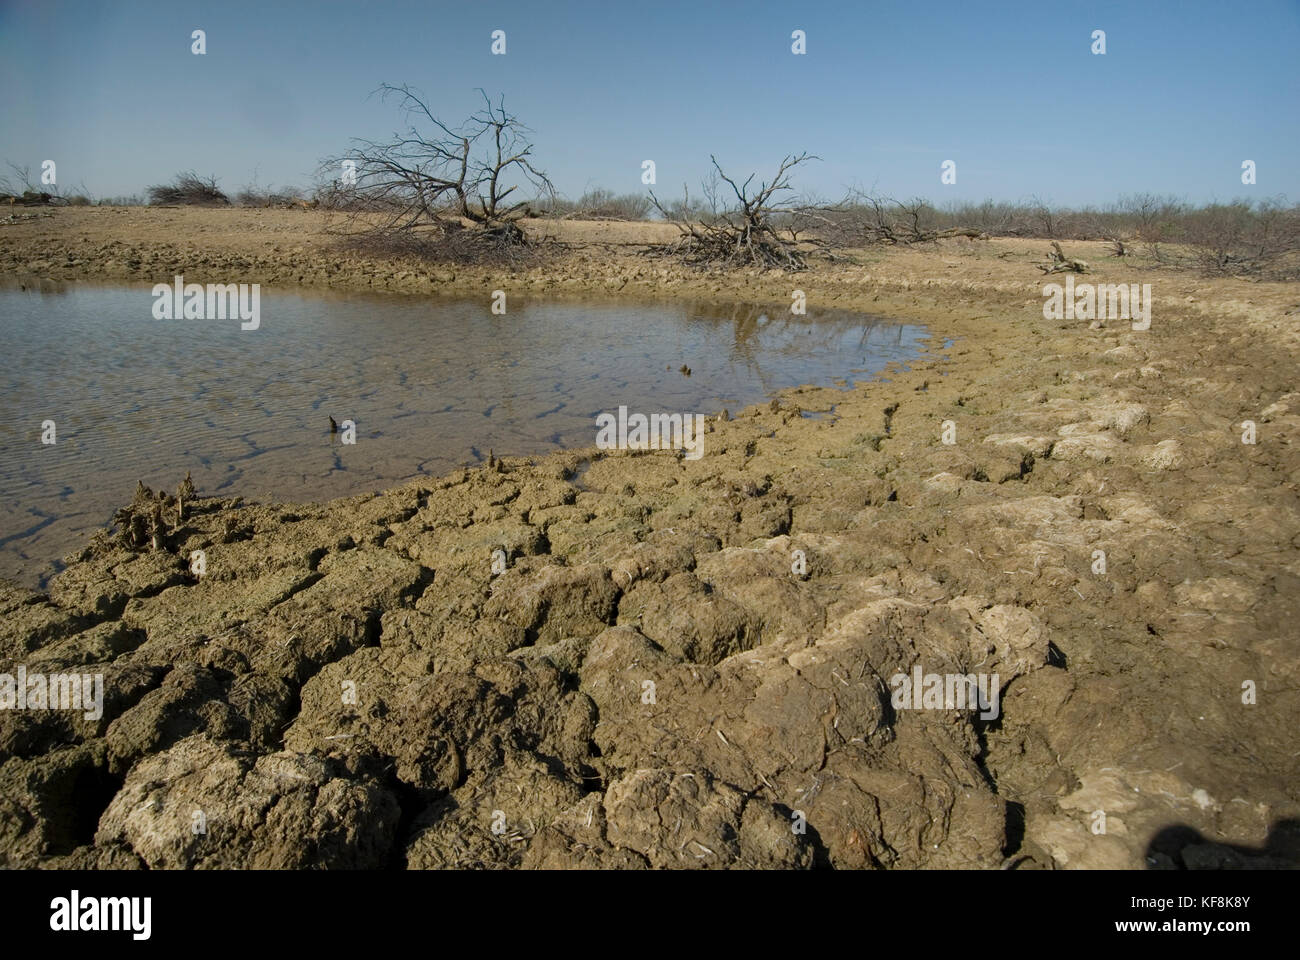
(746, 230)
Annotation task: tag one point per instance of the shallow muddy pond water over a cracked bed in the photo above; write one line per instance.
(430, 384)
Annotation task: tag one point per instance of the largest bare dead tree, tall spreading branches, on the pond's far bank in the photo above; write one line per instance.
(417, 189)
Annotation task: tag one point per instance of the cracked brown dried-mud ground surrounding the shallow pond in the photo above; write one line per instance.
(350, 684)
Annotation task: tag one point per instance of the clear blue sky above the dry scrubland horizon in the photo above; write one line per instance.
(887, 92)
